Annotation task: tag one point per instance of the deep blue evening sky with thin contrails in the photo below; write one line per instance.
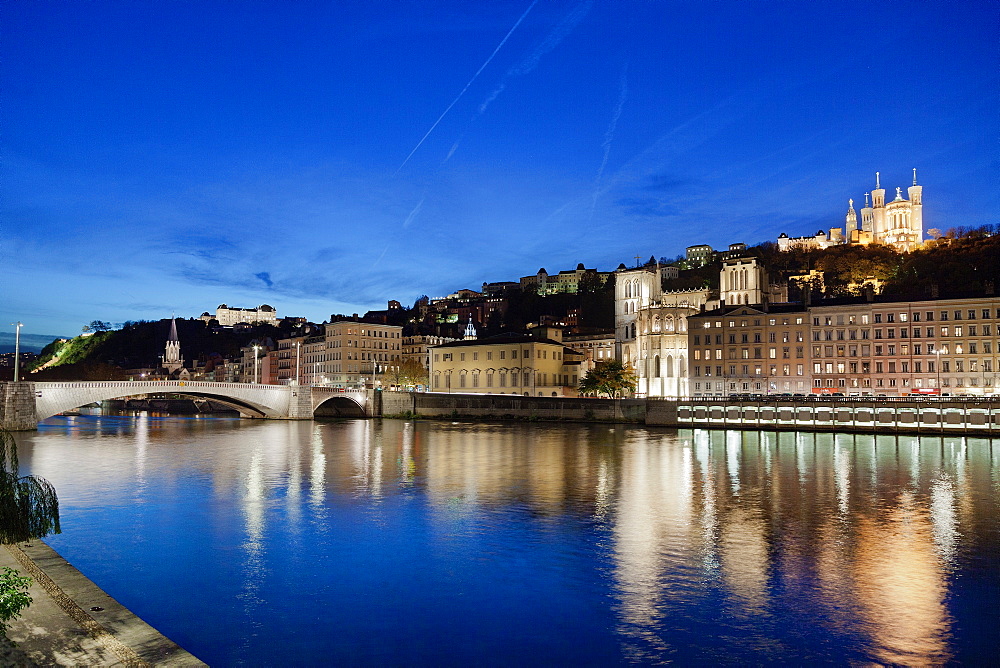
(323, 157)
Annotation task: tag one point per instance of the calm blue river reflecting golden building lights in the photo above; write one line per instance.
(393, 542)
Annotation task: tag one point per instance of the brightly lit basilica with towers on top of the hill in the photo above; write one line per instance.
(899, 223)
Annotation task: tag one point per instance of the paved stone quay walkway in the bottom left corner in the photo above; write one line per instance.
(72, 622)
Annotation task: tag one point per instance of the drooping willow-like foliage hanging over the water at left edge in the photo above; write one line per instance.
(29, 507)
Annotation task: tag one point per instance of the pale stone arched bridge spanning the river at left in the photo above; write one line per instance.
(24, 404)
